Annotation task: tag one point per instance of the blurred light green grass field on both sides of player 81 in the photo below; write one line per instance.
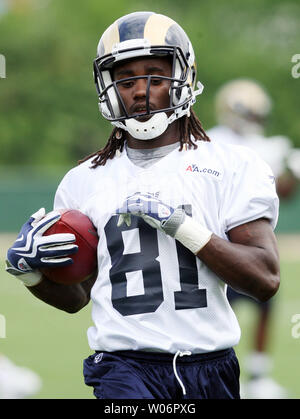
(54, 343)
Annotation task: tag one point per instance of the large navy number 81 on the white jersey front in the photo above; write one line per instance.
(146, 261)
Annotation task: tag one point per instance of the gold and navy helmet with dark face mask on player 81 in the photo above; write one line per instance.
(174, 44)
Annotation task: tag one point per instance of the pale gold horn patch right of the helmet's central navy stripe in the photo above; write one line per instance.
(156, 29)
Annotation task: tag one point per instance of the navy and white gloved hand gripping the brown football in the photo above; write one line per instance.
(32, 250)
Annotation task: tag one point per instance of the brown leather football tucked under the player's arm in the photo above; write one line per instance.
(84, 264)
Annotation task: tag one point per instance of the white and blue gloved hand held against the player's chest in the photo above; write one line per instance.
(155, 212)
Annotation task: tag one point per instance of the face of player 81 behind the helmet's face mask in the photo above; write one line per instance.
(134, 92)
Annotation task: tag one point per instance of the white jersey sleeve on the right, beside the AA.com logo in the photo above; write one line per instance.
(252, 192)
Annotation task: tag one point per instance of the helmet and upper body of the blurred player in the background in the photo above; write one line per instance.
(243, 108)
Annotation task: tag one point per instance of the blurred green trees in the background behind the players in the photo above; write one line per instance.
(48, 103)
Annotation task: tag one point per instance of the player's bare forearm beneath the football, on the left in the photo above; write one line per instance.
(69, 298)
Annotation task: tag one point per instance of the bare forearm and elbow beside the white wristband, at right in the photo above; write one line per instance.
(248, 269)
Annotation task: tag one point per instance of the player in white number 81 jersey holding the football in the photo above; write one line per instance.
(179, 218)
